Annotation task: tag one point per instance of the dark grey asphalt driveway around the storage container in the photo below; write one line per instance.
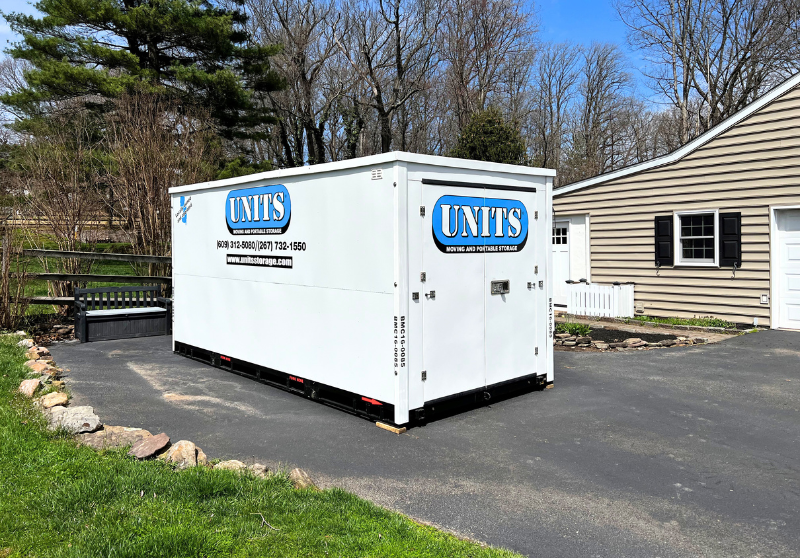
(677, 452)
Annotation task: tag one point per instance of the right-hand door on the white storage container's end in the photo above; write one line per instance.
(512, 288)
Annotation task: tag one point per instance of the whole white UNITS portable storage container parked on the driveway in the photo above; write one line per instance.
(395, 285)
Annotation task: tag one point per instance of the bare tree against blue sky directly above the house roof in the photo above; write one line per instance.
(722, 53)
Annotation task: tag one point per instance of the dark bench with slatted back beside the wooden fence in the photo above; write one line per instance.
(120, 313)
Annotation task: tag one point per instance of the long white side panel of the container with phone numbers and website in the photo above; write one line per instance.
(296, 276)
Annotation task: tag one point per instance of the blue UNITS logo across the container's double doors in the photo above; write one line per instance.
(463, 224)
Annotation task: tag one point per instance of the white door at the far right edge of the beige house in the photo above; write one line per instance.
(788, 273)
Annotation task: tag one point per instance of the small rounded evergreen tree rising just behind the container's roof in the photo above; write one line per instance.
(488, 137)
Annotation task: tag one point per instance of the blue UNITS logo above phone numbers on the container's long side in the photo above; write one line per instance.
(259, 210)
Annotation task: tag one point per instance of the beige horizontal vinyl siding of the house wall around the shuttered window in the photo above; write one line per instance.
(747, 169)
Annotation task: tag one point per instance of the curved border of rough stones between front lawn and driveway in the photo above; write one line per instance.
(89, 431)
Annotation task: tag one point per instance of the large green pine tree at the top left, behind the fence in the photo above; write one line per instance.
(92, 50)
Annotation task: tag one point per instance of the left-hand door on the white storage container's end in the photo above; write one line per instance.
(452, 295)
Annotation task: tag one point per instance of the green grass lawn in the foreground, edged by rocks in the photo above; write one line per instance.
(58, 499)
